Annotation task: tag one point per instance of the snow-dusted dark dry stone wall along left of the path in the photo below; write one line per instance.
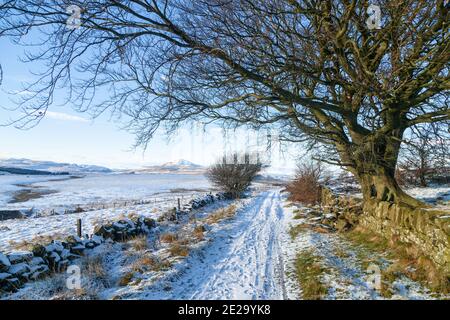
(17, 268)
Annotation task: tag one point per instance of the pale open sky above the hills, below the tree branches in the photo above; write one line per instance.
(66, 136)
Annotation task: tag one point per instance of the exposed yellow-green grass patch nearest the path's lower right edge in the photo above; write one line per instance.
(309, 272)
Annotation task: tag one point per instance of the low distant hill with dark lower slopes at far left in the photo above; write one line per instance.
(26, 166)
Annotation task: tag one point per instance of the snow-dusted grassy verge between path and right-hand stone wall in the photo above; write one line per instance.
(345, 262)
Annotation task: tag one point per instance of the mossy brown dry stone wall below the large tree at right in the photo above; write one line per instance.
(427, 229)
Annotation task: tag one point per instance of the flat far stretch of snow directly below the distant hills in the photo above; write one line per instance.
(95, 189)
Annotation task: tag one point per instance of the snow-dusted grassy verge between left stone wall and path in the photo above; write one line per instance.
(117, 260)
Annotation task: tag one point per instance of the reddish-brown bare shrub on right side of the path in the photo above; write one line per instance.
(306, 187)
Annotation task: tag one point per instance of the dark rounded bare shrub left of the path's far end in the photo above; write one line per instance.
(233, 177)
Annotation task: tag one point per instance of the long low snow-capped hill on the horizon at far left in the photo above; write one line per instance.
(51, 166)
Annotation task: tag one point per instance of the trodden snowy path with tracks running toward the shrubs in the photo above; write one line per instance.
(243, 261)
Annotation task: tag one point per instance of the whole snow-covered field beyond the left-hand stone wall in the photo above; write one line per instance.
(159, 191)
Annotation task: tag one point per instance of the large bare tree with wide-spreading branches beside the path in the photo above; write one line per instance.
(316, 69)
